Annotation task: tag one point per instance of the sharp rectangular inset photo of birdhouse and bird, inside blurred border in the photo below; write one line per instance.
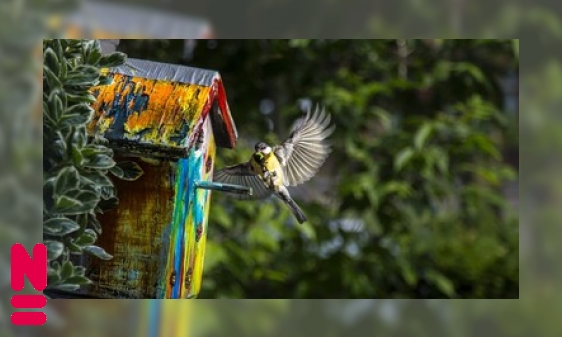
(281, 169)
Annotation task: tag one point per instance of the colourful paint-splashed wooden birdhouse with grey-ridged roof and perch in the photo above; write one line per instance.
(169, 119)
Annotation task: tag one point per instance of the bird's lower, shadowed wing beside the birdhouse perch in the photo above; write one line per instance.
(242, 175)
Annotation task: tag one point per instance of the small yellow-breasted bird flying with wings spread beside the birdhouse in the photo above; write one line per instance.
(271, 169)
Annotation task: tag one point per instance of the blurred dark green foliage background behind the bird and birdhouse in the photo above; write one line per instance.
(414, 200)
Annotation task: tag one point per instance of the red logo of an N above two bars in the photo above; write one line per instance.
(35, 268)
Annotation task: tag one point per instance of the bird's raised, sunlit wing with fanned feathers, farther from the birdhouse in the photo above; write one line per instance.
(306, 149)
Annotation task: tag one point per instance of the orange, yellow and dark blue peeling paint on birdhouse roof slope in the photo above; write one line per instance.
(148, 111)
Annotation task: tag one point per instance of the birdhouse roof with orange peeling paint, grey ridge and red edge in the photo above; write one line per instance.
(157, 109)
